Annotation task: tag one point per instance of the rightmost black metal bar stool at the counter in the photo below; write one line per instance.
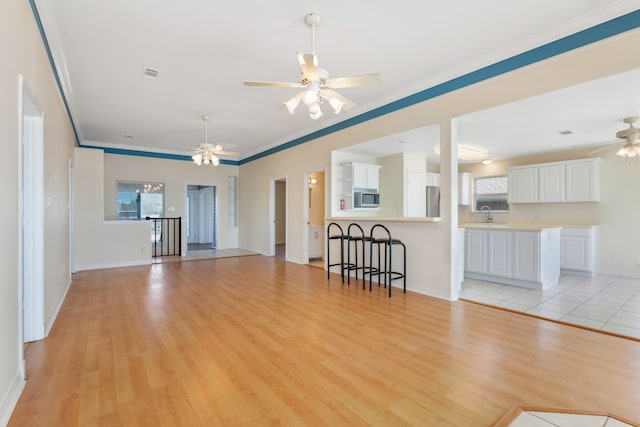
(385, 265)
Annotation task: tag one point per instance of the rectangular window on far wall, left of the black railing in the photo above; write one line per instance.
(140, 200)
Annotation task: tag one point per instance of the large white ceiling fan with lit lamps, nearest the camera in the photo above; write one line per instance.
(316, 82)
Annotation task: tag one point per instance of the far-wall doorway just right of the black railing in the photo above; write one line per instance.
(201, 217)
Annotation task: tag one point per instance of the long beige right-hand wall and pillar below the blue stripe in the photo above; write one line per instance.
(439, 251)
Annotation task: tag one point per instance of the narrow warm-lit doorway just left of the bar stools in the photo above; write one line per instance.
(315, 213)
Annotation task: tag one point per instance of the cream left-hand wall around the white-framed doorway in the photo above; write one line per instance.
(22, 52)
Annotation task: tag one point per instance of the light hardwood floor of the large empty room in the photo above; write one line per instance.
(258, 341)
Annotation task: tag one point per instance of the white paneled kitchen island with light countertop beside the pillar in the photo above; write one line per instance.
(525, 255)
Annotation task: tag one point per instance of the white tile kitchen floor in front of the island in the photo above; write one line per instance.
(608, 303)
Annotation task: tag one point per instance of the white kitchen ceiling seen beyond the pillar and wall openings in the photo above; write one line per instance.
(592, 111)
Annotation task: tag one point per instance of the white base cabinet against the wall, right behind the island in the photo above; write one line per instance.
(579, 251)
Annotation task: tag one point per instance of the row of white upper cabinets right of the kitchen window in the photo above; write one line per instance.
(569, 181)
